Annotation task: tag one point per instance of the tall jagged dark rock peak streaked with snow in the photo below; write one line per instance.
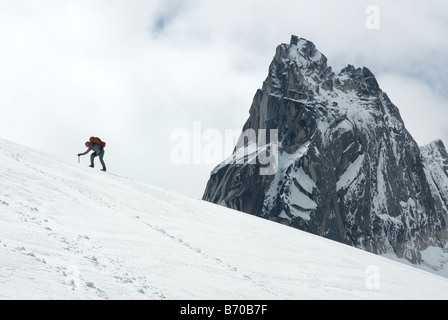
(372, 186)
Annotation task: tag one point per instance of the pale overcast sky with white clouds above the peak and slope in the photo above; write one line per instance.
(133, 72)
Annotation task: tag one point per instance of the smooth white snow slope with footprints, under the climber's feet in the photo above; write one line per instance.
(71, 232)
